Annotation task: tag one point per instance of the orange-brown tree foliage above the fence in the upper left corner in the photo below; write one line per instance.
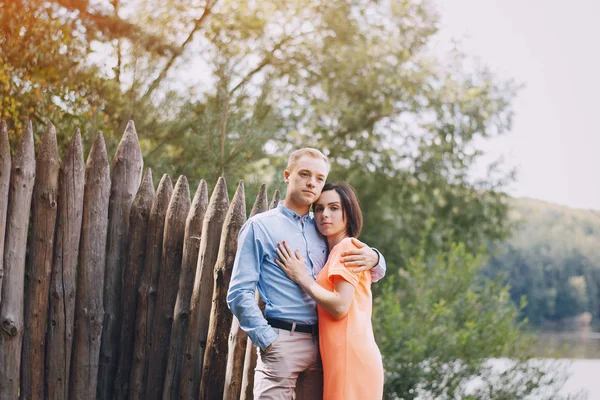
(45, 71)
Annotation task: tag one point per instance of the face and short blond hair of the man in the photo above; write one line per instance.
(306, 180)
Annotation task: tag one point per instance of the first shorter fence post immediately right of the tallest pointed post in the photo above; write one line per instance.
(136, 256)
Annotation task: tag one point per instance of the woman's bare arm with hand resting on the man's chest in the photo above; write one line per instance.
(336, 303)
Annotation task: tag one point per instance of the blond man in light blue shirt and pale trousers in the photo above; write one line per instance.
(289, 358)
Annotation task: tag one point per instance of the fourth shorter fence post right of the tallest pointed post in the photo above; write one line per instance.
(181, 314)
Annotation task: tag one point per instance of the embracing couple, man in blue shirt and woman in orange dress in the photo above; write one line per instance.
(315, 338)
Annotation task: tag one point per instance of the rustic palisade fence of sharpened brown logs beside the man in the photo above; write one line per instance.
(110, 289)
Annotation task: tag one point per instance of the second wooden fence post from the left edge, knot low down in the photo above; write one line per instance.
(11, 308)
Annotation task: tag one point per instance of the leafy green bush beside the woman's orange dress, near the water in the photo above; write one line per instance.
(440, 322)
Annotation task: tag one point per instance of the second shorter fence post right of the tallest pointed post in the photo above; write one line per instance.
(146, 304)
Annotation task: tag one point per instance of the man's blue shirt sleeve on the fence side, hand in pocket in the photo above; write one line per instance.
(242, 287)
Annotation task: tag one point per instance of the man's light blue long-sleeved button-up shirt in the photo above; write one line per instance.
(254, 265)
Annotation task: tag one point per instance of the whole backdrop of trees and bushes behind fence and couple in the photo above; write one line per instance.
(229, 87)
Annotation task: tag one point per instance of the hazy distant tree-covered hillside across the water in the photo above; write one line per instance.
(551, 261)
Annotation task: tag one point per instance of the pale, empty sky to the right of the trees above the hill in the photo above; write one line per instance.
(551, 47)
